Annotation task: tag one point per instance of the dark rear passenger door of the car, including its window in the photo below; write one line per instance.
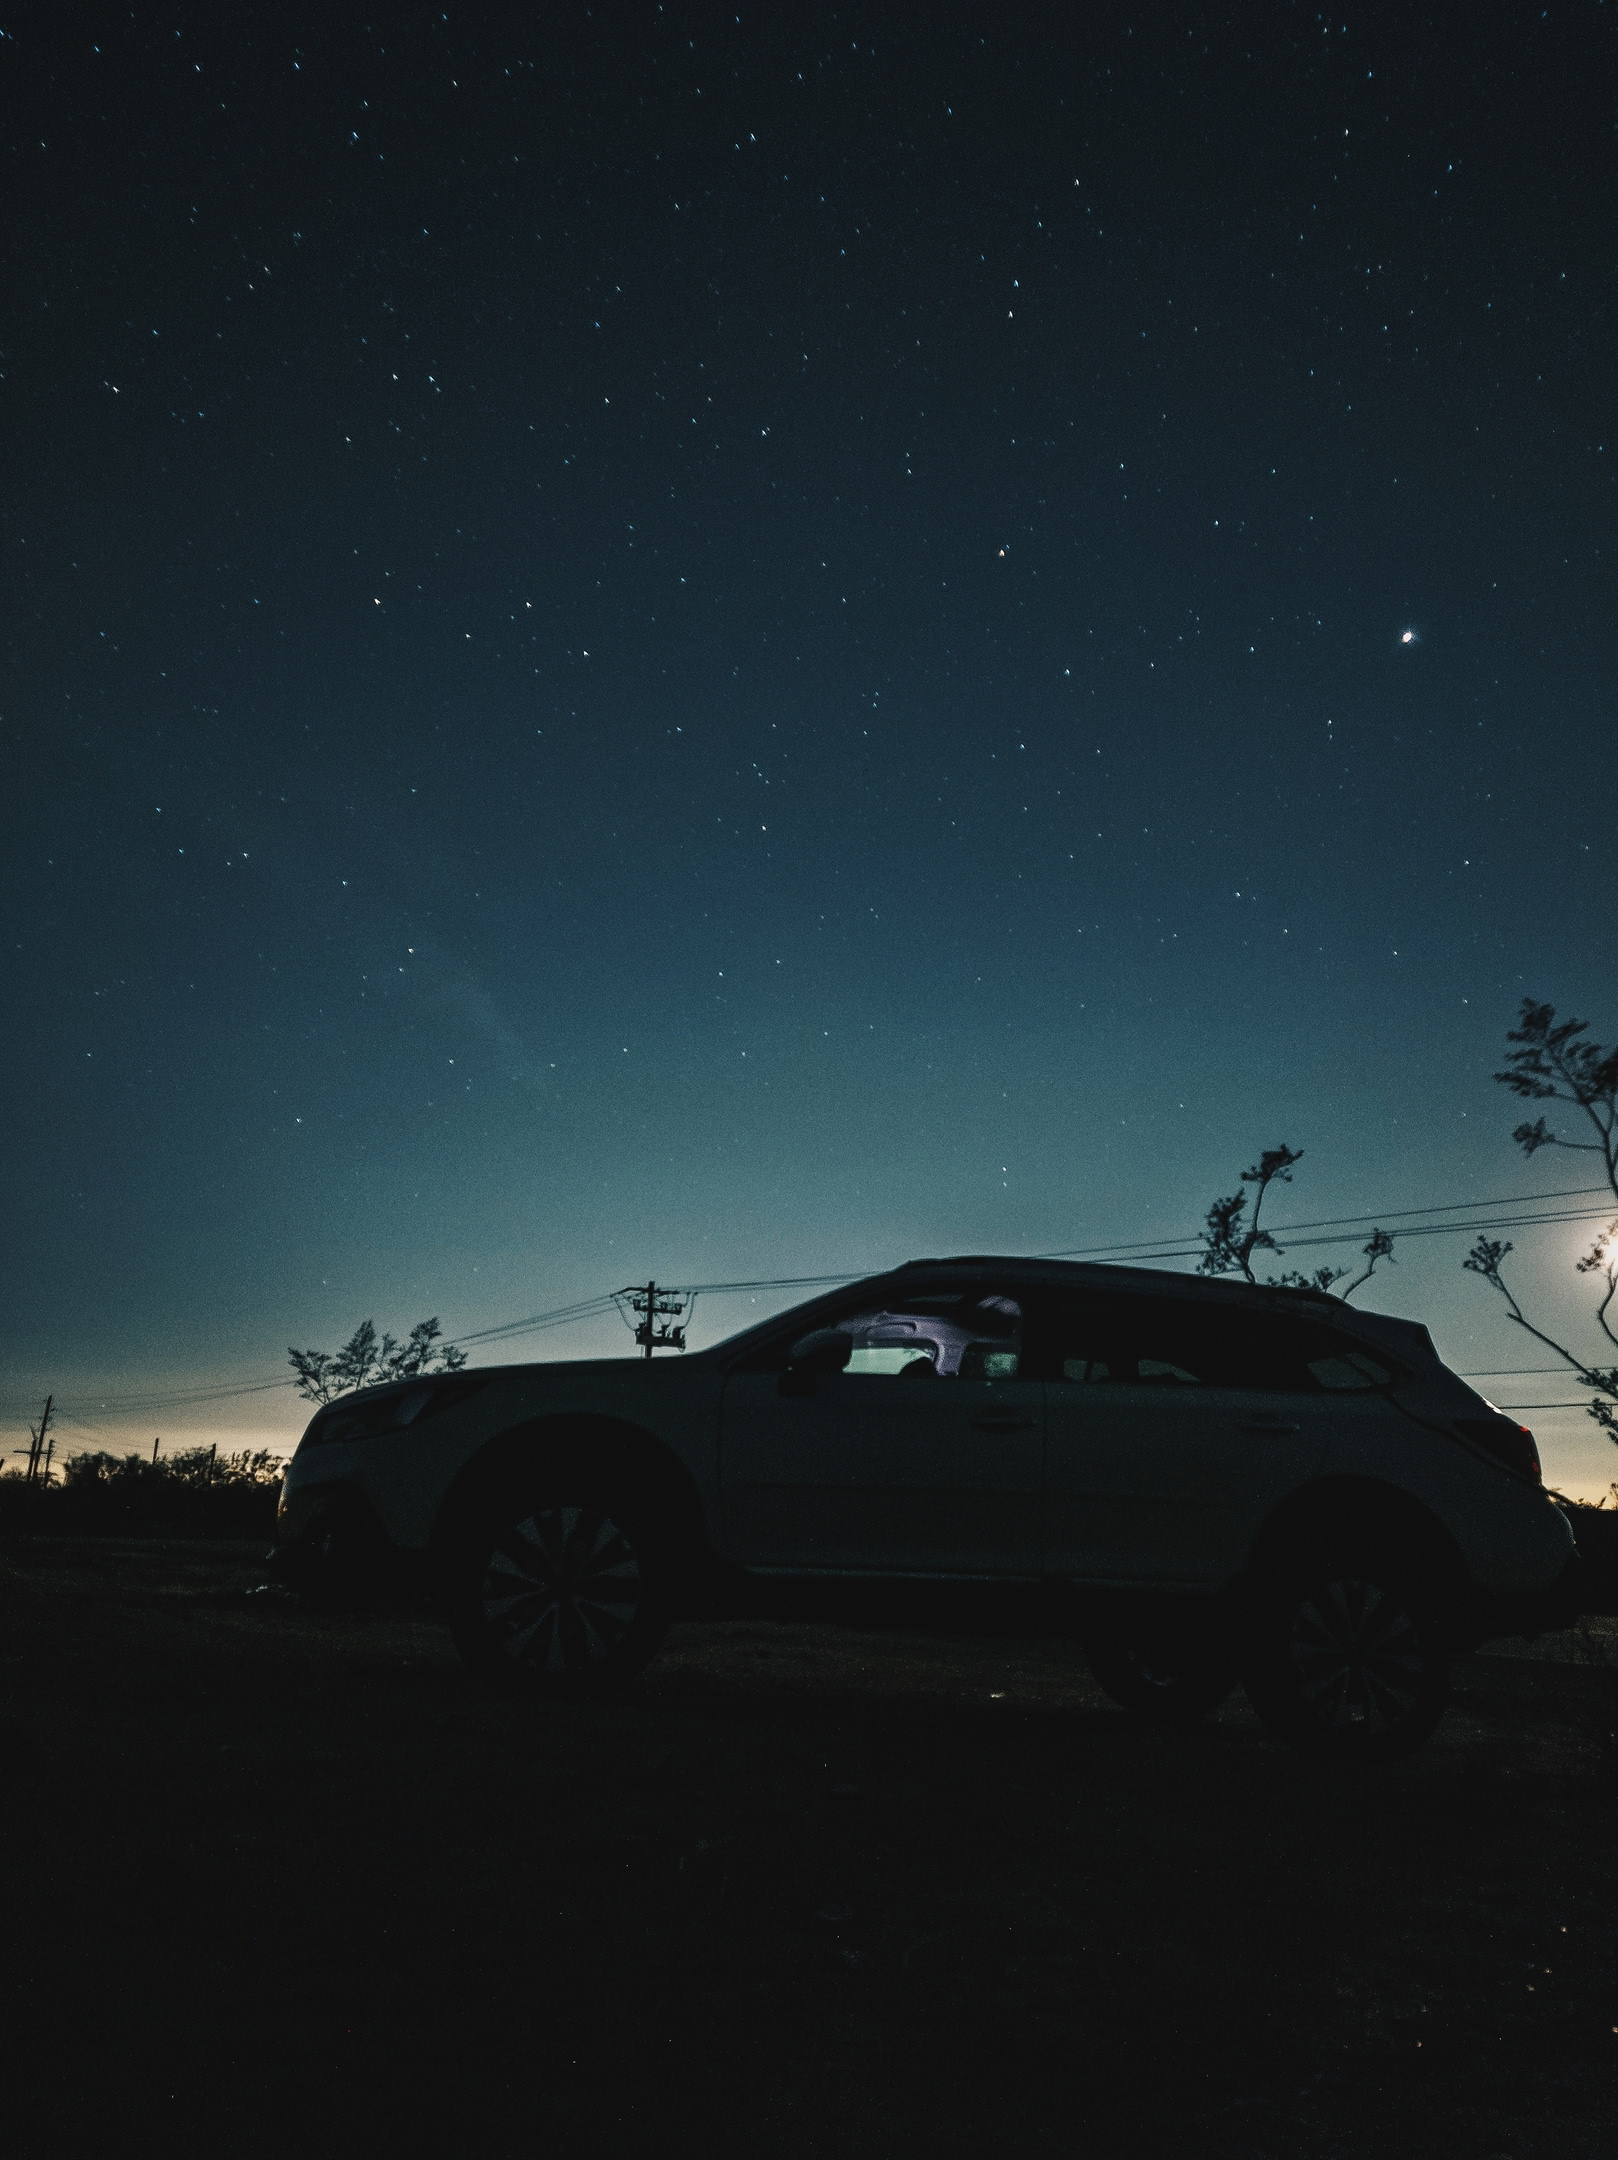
(1170, 1437)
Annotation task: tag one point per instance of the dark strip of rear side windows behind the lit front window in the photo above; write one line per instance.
(1176, 1345)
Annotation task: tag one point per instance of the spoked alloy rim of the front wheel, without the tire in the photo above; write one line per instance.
(563, 1589)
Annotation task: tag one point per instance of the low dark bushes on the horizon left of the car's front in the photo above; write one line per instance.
(195, 1494)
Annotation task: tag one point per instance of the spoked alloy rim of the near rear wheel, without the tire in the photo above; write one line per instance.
(1356, 1658)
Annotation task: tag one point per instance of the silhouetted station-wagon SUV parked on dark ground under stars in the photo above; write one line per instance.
(1206, 1483)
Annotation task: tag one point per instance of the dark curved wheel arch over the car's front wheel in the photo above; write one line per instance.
(608, 1450)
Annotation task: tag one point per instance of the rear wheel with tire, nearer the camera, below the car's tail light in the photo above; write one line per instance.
(1347, 1653)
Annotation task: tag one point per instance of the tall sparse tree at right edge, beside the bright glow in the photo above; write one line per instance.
(1550, 1062)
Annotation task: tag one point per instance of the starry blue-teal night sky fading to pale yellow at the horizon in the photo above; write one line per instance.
(757, 645)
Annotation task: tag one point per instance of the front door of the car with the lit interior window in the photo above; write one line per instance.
(921, 1459)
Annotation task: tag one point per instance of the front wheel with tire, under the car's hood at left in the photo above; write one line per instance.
(563, 1591)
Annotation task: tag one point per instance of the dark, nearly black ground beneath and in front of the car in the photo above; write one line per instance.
(291, 1882)
